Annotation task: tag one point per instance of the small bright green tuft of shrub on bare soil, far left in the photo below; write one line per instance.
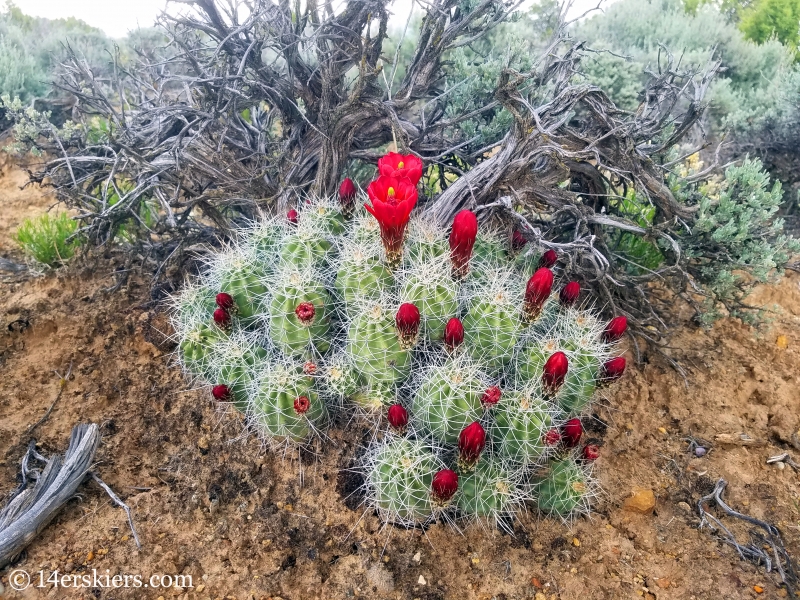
(47, 239)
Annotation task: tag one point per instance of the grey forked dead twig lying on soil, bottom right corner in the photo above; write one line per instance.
(763, 549)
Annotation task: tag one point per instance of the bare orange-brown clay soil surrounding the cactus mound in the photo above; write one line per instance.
(245, 524)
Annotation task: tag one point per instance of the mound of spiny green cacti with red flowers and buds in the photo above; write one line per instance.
(459, 340)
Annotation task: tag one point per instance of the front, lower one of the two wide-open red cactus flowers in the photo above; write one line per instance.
(392, 202)
